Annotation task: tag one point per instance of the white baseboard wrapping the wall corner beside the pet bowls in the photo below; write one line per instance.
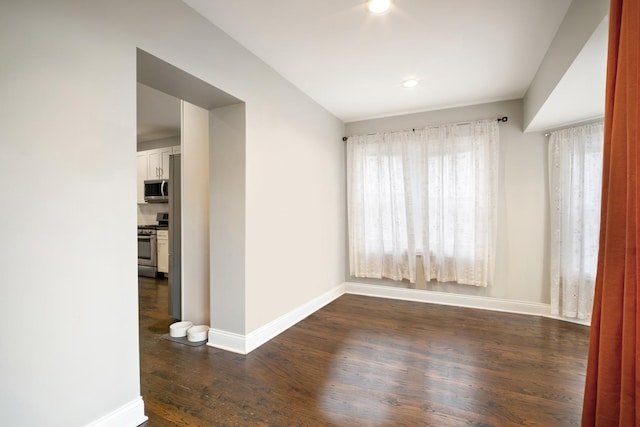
(245, 344)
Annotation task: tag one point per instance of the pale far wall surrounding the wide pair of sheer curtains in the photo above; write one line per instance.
(522, 266)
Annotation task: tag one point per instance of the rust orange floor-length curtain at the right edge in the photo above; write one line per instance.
(613, 370)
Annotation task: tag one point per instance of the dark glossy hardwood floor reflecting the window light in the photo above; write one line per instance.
(364, 361)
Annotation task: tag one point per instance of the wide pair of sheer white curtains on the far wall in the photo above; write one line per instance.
(429, 192)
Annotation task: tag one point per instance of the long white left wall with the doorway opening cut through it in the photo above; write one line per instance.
(68, 132)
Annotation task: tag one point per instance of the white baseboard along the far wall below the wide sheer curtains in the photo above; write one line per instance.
(458, 300)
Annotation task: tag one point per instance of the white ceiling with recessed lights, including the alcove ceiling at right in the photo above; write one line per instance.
(464, 52)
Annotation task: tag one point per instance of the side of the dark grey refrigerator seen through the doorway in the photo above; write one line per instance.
(175, 218)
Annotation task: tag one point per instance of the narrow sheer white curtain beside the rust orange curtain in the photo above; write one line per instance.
(575, 179)
